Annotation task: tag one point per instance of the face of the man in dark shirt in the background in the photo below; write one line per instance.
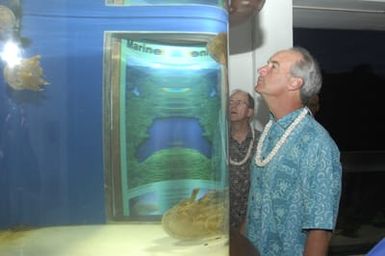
(239, 109)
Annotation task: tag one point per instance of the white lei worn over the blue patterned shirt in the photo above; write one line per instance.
(262, 162)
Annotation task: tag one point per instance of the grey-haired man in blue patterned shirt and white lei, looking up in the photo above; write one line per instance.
(296, 172)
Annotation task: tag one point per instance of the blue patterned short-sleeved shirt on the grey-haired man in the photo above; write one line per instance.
(298, 190)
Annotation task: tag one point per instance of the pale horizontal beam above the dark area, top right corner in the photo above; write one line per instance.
(339, 14)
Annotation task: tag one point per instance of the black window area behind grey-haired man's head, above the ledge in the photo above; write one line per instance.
(351, 100)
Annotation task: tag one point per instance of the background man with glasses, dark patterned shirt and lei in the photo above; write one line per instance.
(242, 145)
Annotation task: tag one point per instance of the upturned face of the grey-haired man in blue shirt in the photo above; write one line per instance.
(274, 77)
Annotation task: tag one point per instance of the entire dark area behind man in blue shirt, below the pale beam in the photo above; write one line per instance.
(351, 109)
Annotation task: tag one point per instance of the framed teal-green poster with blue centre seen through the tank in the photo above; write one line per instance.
(167, 116)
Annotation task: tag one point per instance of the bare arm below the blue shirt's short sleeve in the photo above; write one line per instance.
(317, 242)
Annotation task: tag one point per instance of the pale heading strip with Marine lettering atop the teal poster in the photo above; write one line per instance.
(172, 51)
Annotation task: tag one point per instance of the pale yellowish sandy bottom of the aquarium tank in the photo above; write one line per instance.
(105, 240)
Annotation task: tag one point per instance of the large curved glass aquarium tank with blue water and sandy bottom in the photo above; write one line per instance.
(113, 131)
